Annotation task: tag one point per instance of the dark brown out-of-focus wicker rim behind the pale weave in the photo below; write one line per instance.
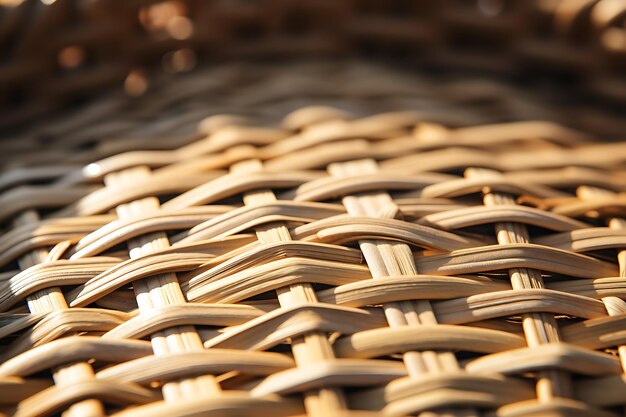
(55, 52)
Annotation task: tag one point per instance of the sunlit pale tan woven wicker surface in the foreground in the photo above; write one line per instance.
(321, 261)
